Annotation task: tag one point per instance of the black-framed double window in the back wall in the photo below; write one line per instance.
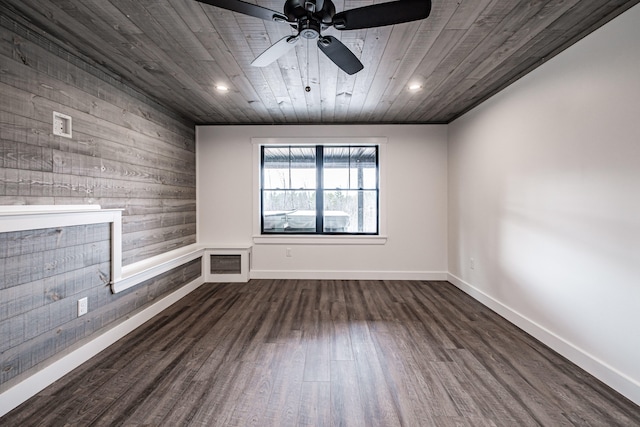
(319, 189)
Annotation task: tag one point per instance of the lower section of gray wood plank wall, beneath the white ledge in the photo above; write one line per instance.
(43, 273)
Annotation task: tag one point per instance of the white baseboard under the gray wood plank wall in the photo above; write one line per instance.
(37, 382)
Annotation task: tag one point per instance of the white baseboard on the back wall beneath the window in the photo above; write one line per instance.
(348, 275)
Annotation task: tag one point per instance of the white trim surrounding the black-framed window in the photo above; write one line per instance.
(322, 239)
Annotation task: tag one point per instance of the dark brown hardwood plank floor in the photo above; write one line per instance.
(319, 353)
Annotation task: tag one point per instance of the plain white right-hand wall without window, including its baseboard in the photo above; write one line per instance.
(544, 195)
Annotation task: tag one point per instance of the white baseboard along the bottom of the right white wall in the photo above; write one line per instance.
(599, 369)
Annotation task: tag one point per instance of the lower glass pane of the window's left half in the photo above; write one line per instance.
(289, 211)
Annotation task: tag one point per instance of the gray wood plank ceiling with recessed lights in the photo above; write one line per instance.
(178, 51)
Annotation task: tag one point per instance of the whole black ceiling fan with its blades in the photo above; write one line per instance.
(309, 17)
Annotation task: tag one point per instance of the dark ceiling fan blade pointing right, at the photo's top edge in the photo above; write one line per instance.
(381, 14)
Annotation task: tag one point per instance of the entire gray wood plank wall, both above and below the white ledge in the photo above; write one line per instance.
(126, 152)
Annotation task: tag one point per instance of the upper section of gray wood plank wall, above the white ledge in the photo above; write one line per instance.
(126, 151)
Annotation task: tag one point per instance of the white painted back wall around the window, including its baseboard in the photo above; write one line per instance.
(415, 196)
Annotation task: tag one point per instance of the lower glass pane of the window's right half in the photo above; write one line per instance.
(351, 211)
